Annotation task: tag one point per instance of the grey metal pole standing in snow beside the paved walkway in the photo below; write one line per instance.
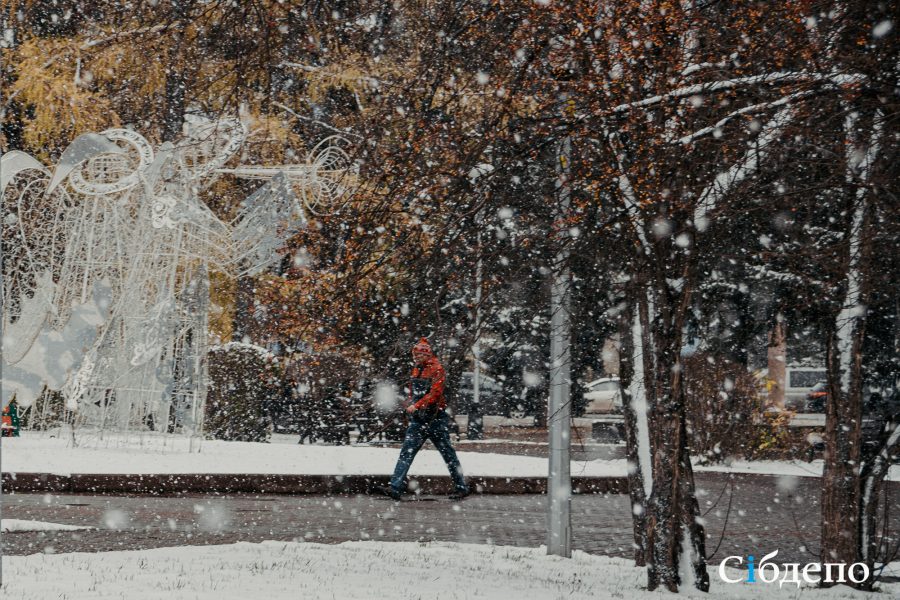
(559, 483)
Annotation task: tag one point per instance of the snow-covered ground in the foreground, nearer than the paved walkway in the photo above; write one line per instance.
(358, 570)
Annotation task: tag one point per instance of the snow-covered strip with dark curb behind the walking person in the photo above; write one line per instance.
(164, 464)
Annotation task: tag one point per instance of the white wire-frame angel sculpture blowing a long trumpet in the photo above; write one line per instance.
(107, 259)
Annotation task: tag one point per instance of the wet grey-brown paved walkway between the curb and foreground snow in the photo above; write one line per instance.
(766, 513)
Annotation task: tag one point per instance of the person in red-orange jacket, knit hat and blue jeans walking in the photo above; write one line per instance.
(427, 420)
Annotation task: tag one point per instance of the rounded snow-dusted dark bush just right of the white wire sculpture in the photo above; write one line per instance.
(243, 379)
